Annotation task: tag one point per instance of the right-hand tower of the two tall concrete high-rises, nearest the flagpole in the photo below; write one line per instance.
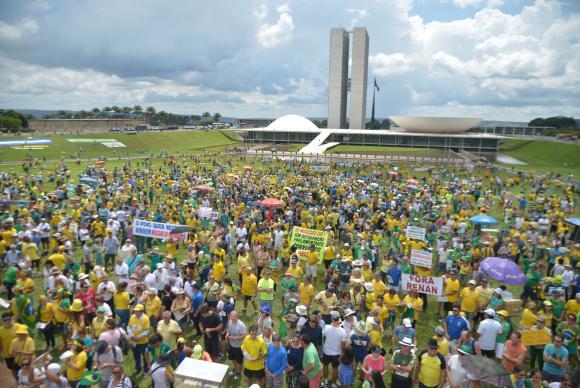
(359, 78)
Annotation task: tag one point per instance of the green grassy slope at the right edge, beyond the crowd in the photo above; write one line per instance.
(544, 156)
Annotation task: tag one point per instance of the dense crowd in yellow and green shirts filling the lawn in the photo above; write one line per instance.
(81, 285)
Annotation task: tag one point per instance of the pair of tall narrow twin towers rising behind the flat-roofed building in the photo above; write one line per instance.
(338, 78)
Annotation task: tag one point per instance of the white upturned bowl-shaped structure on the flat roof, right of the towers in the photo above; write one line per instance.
(435, 124)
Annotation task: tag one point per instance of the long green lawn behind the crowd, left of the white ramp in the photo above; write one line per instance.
(150, 142)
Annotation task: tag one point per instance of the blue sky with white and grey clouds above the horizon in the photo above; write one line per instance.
(499, 59)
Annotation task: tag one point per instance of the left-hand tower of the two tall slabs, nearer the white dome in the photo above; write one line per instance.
(338, 78)
